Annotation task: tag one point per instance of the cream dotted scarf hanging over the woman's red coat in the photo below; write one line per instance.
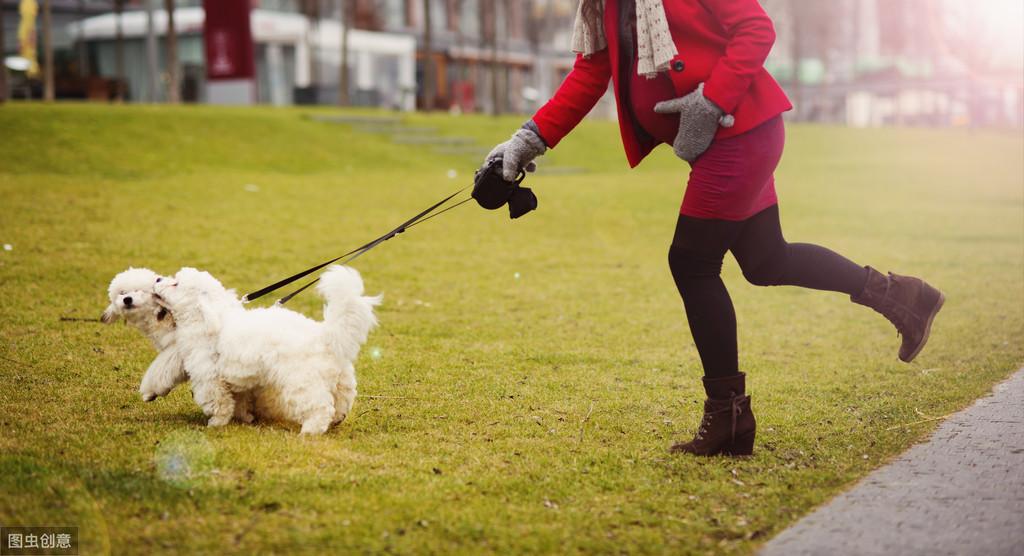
(655, 45)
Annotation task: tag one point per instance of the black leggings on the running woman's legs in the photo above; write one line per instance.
(765, 259)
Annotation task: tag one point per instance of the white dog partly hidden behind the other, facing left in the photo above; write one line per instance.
(132, 298)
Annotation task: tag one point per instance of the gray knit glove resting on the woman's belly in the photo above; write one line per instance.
(699, 121)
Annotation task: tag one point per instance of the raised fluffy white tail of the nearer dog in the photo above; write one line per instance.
(349, 315)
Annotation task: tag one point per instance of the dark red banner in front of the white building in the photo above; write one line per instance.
(229, 40)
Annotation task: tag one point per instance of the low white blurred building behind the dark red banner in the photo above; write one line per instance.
(290, 50)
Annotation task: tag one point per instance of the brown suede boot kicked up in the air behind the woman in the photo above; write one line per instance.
(908, 303)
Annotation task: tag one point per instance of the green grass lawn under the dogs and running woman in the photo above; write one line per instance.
(527, 378)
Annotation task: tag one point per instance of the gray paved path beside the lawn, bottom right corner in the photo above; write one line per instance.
(960, 494)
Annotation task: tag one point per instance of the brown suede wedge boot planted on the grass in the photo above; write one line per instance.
(729, 425)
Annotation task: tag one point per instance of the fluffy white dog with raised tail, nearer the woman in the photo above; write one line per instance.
(303, 369)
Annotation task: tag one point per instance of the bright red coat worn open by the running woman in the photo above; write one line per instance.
(722, 44)
